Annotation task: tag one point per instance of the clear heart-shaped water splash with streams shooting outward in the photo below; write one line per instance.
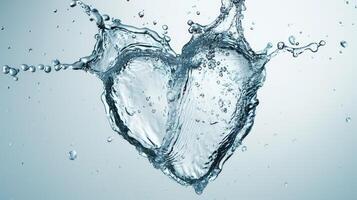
(186, 112)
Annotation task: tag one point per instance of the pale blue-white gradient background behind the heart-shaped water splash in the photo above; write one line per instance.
(300, 147)
